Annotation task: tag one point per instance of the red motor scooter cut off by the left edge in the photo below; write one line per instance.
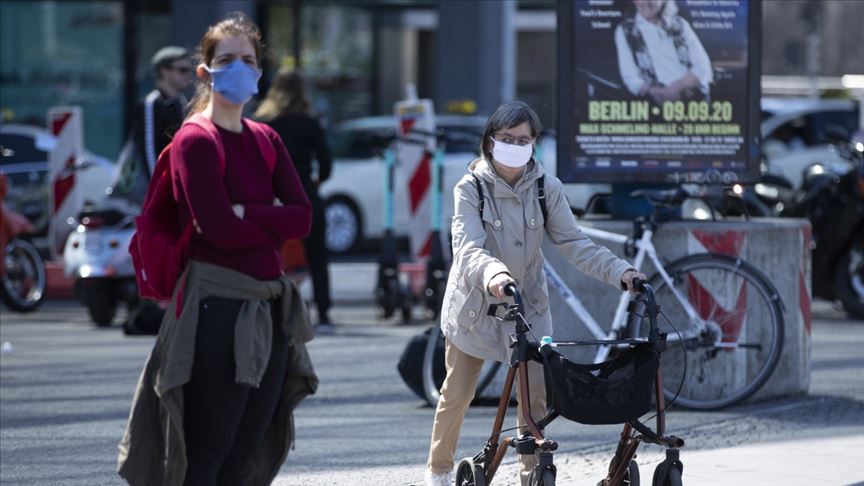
(22, 269)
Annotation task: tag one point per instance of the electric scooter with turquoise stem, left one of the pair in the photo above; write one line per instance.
(390, 293)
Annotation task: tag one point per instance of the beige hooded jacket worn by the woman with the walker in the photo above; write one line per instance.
(508, 239)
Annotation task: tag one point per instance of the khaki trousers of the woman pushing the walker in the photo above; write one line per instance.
(463, 371)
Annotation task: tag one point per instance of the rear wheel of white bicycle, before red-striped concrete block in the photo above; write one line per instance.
(732, 346)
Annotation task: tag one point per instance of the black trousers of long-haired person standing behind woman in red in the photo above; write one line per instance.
(316, 254)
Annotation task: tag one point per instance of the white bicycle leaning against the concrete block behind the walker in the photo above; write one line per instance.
(709, 342)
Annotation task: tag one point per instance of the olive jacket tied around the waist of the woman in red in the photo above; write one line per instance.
(153, 448)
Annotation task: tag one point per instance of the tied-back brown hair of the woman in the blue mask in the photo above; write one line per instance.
(236, 24)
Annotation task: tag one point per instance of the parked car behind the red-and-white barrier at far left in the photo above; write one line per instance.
(24, 160)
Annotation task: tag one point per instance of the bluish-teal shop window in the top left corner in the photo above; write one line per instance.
(65, 53)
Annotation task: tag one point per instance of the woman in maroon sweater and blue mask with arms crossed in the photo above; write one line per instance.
(214, 402)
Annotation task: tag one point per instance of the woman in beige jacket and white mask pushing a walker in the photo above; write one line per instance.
(493, 250)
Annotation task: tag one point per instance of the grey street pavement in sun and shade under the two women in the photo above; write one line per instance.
(66, 386)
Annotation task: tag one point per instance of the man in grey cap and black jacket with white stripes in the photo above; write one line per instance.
(154, 123)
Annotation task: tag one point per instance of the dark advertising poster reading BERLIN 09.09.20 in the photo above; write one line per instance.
(658, 91)
